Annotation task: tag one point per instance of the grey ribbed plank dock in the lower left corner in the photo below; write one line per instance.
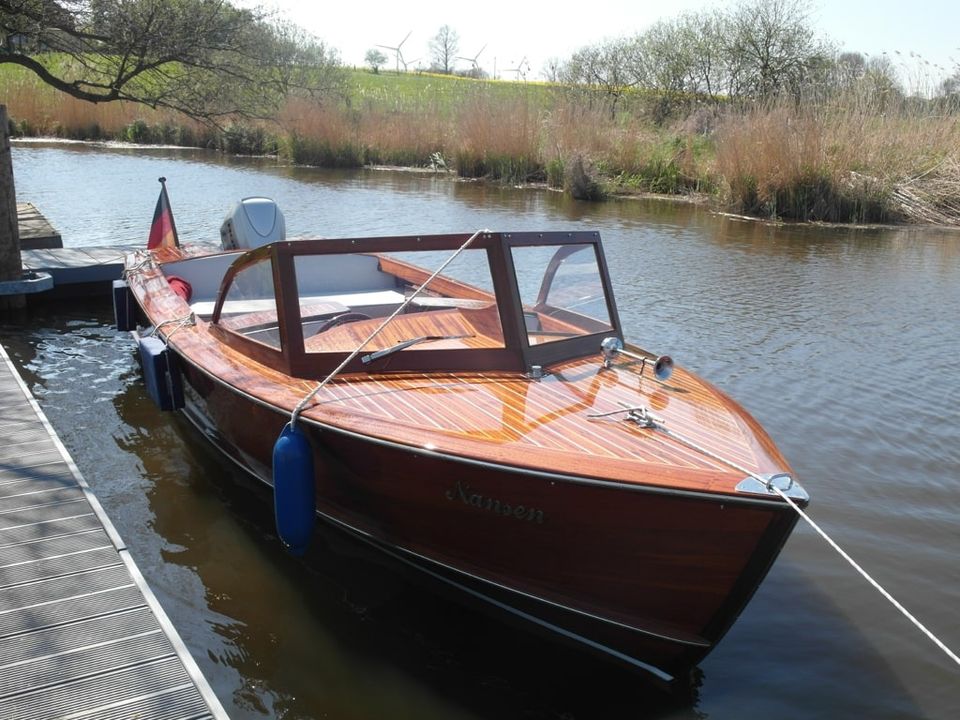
(81, 634)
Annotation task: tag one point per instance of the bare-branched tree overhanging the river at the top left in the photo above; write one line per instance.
(203, 58)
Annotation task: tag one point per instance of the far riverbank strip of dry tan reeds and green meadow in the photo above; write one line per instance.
(862, 155)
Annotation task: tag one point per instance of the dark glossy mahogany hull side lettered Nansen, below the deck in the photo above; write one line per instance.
(649, 576)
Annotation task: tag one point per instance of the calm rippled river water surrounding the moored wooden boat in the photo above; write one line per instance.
(843, 343)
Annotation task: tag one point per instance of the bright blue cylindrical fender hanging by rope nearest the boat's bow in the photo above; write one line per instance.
(294, 494)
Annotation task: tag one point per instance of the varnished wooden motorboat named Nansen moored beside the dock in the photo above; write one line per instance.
(496, 434)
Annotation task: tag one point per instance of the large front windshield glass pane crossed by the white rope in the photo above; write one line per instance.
(343, 298)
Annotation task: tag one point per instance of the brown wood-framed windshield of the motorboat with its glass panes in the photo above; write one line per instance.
(508, 302)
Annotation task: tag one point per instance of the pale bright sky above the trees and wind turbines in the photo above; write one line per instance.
(507, 32)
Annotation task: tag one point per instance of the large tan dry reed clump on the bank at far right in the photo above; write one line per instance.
(844, 161)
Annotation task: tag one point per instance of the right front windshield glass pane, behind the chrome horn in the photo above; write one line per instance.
(562, 292)
